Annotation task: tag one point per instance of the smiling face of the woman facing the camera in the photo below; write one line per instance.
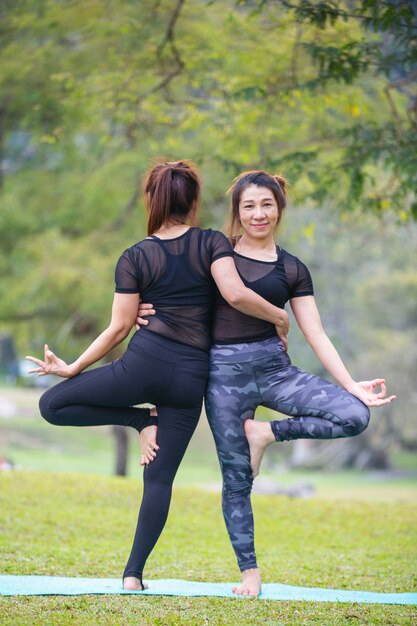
(258, 212)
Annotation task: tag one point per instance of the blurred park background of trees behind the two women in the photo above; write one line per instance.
(324, 92)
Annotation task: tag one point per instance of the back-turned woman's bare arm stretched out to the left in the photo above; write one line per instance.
(123, 316)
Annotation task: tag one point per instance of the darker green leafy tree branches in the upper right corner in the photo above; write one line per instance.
(373, 44)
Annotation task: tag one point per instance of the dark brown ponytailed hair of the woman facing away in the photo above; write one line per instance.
(172, 193)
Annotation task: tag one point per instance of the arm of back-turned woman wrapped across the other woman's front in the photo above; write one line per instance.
(245, 300)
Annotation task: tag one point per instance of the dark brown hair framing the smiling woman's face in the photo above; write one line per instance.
(275, 182)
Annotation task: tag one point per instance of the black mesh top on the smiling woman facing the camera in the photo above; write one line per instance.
(276, 281)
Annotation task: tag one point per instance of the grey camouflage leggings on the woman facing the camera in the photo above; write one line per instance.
(245, 376)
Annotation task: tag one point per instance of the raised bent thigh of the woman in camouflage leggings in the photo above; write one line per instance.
(297, 393)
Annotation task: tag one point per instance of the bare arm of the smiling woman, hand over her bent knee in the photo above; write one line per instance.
(309, 321)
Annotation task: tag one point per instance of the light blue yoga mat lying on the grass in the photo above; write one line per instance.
(56, 585)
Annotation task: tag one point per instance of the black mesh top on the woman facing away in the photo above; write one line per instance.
(174, 275)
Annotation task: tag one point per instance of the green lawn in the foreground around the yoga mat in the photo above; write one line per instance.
(82, 525)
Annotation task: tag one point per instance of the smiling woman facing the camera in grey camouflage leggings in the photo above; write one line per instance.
(250, 367)
